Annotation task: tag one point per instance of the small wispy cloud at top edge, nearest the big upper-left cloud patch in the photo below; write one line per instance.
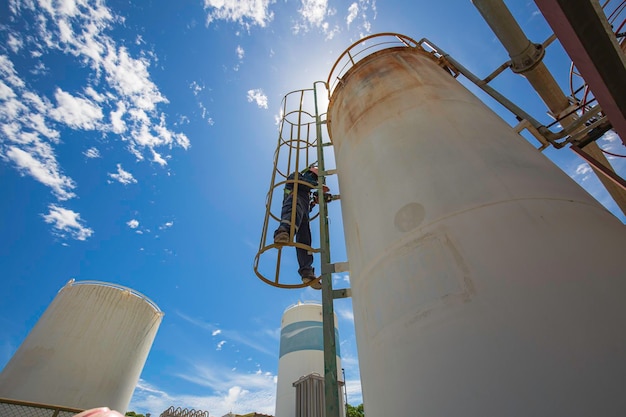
(245, 12)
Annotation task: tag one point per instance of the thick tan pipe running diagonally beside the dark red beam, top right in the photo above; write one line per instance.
(529, 64)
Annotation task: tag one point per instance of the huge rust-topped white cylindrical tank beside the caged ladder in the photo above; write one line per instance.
(485, 282)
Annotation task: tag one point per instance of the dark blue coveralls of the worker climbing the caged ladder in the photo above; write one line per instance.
(302, 228)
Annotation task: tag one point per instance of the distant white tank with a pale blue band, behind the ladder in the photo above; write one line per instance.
(301, 354)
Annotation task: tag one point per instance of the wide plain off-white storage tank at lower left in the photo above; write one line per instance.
(87, 349)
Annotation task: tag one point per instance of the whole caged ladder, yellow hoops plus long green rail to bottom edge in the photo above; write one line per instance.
(300, 146)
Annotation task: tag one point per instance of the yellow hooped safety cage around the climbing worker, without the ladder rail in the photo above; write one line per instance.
(296, 150)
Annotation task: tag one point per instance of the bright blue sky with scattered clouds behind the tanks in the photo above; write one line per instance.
(136, 146)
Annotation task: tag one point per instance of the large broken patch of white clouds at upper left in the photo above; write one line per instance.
(116, 89)
